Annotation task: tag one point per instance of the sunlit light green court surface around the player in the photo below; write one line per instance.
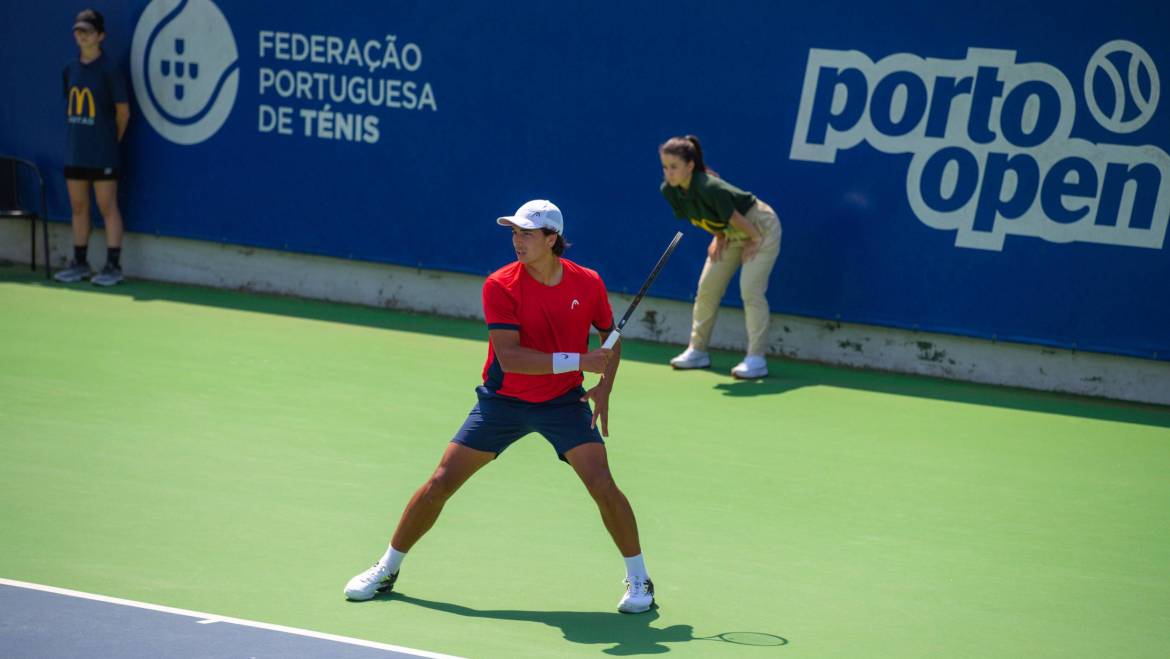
(245, 456)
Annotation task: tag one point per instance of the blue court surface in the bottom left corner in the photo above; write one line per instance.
(42, 623)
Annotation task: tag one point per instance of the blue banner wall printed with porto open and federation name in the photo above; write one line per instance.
(996, 170)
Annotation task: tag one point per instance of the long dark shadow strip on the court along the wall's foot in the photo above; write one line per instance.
(786, 376)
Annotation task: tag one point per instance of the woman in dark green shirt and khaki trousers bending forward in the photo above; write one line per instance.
(746, 234)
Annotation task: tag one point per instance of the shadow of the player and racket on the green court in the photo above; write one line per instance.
(628, 635)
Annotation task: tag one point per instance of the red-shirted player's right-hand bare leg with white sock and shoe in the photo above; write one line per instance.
(593, 466)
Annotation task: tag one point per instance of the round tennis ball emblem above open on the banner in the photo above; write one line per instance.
(1138, 88)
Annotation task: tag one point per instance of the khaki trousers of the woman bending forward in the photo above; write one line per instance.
(713, 284)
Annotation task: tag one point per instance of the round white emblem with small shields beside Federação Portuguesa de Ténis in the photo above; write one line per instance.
(185, 68)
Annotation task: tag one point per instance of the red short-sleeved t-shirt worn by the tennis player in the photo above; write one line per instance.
(550, 319)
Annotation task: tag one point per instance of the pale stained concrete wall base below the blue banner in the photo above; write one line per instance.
(667, 321)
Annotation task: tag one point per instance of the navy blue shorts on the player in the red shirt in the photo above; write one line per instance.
(498, 421)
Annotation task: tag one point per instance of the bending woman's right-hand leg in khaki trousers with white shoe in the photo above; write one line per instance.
(753, 290)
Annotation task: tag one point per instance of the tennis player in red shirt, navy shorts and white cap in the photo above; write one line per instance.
(539, 312)
